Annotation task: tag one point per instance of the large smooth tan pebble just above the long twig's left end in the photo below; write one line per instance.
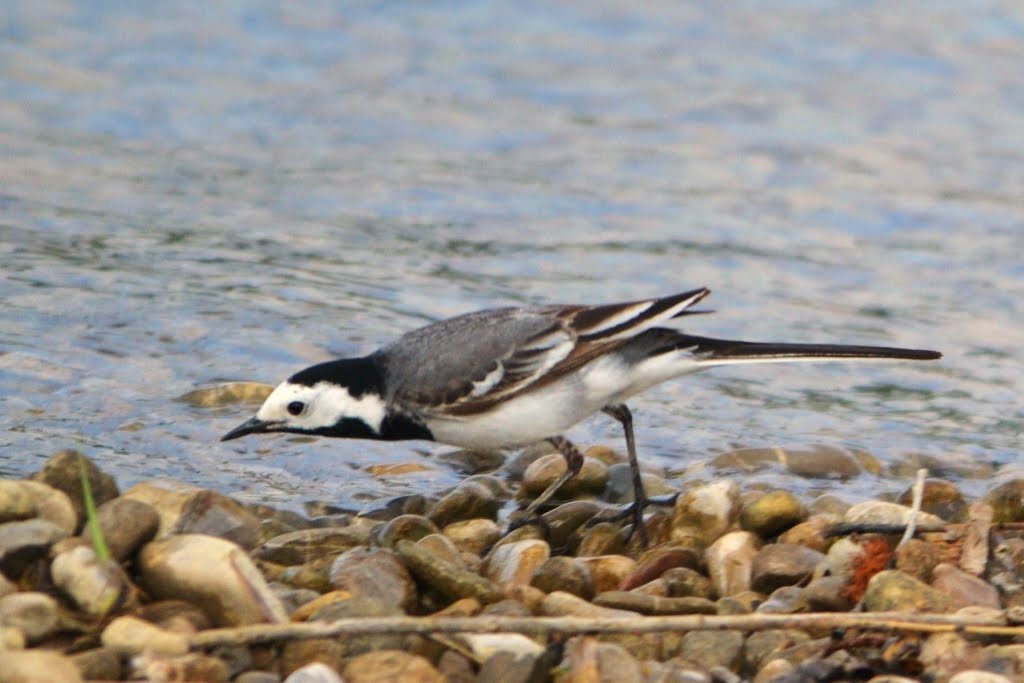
(227, 584)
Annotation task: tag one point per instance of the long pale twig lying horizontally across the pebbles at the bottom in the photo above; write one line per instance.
(547, 626)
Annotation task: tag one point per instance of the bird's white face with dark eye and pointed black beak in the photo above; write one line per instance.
(322, 409)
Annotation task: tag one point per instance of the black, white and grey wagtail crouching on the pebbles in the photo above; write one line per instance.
(505, 378)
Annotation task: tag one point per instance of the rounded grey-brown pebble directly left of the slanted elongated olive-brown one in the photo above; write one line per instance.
(375, 574)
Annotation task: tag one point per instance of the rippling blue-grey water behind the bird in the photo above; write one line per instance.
(194, 193)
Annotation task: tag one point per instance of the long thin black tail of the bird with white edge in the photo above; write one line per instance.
(727, 351)
